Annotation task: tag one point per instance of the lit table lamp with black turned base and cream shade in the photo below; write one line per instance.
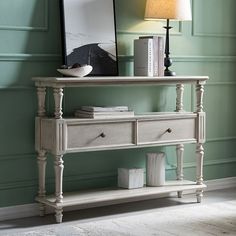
(169, 10)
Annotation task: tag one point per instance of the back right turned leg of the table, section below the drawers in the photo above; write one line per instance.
(179, 170)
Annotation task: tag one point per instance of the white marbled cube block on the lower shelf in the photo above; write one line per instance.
(130, 178)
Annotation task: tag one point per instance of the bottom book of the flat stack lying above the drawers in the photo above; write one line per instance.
(102, 115)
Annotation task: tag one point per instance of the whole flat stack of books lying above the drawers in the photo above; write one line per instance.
(95, 112)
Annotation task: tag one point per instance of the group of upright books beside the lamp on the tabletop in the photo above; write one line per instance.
(149, 56)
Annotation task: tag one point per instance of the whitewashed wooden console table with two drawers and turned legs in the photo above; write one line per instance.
(58, 136)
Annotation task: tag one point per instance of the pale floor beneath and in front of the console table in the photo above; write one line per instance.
(216, 215)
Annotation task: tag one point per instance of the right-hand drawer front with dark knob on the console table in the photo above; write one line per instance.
(166, 130)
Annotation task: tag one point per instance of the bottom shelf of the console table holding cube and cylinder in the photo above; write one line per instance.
(109, 196)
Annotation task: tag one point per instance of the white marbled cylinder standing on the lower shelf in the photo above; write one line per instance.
(155, 169)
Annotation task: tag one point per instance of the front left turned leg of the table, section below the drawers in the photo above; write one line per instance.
(58, 167)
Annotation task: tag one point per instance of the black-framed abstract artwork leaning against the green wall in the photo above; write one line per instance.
(89, 35)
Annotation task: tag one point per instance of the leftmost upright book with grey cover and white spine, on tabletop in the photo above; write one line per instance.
(143, 57)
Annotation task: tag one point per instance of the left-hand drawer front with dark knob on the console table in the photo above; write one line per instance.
(97, 135)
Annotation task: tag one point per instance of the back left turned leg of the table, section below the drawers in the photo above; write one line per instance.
(41, 170)
